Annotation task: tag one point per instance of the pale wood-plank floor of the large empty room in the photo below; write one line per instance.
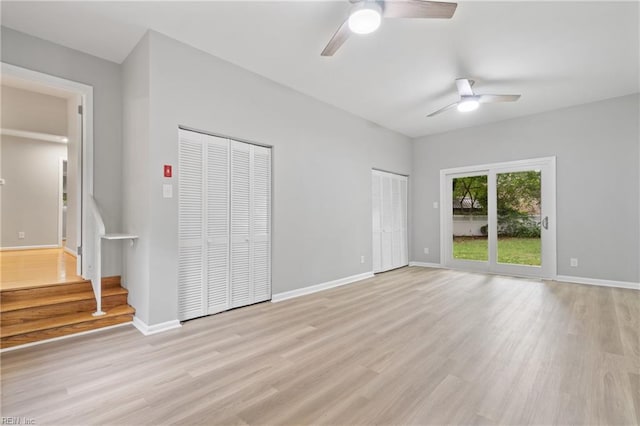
(411, 346)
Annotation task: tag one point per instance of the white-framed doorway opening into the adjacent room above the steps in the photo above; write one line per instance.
(47, 124)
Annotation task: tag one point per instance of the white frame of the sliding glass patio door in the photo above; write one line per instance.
(548, 185)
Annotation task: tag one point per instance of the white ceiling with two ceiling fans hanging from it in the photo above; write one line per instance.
(554, 54)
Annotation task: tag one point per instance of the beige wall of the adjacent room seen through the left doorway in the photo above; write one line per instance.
(30, 197)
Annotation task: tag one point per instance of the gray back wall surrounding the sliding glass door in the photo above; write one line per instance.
(596, 146)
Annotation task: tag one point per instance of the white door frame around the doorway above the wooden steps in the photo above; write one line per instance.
(84, 186)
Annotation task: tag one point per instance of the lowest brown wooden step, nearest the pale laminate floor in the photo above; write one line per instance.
(100, 322)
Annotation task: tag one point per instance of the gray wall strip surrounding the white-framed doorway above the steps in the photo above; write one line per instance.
(43, 56)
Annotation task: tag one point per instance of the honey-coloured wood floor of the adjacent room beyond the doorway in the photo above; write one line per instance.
(21, 269)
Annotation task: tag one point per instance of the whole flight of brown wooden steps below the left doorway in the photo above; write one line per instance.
(51, 311)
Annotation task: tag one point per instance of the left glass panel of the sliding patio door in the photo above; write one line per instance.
(469, 218)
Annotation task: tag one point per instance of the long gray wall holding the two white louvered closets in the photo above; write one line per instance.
(322, 161)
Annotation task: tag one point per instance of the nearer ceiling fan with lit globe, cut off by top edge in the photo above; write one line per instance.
(366, 16)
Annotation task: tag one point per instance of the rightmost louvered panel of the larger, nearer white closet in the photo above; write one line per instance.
(261, 223)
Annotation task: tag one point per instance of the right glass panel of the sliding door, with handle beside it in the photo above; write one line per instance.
(518, 202)
